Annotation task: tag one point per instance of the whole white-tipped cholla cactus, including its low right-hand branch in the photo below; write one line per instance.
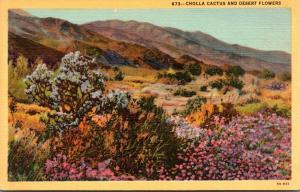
(73, 93)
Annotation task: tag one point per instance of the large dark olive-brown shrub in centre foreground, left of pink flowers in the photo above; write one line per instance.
(142, 136)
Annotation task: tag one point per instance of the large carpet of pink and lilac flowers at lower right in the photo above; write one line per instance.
(251, 147)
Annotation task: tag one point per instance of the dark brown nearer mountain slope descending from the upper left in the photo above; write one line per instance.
(63, 36)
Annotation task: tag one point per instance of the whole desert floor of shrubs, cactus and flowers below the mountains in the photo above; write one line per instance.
(74, 124)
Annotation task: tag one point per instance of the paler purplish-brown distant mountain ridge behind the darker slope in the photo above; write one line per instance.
(202, 46)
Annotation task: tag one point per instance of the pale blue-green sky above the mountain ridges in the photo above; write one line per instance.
(264, 29)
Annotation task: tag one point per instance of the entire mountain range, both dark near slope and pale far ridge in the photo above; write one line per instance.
(133, 43)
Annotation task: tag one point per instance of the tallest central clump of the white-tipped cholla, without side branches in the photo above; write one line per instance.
(77, 88)
